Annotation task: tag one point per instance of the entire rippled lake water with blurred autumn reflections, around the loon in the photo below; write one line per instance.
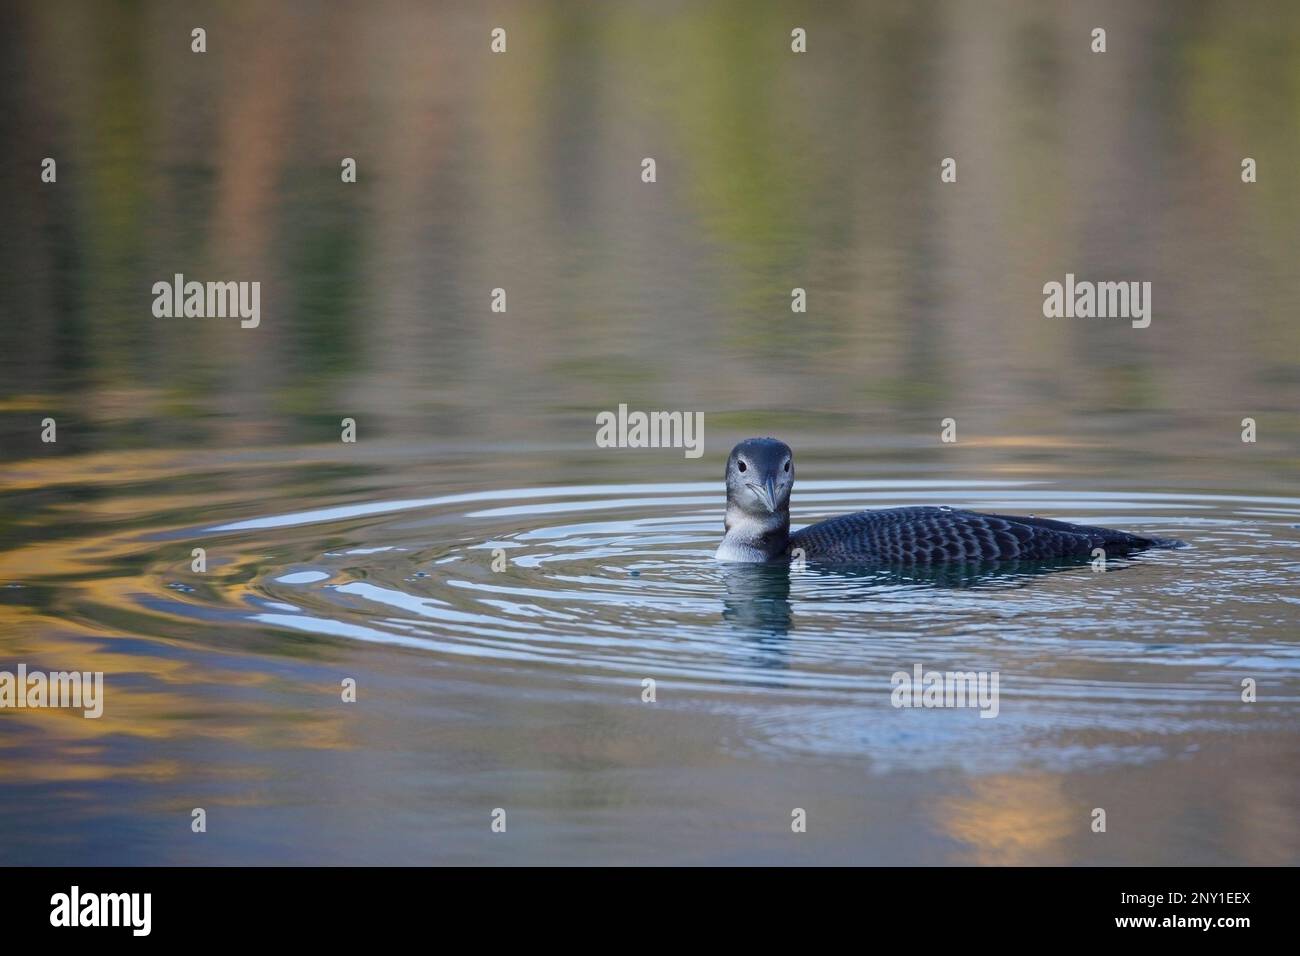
(497, 586)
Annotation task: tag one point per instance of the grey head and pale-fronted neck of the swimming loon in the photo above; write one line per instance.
(760, 477)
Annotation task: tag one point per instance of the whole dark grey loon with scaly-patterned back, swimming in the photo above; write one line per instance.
(760, 477)
